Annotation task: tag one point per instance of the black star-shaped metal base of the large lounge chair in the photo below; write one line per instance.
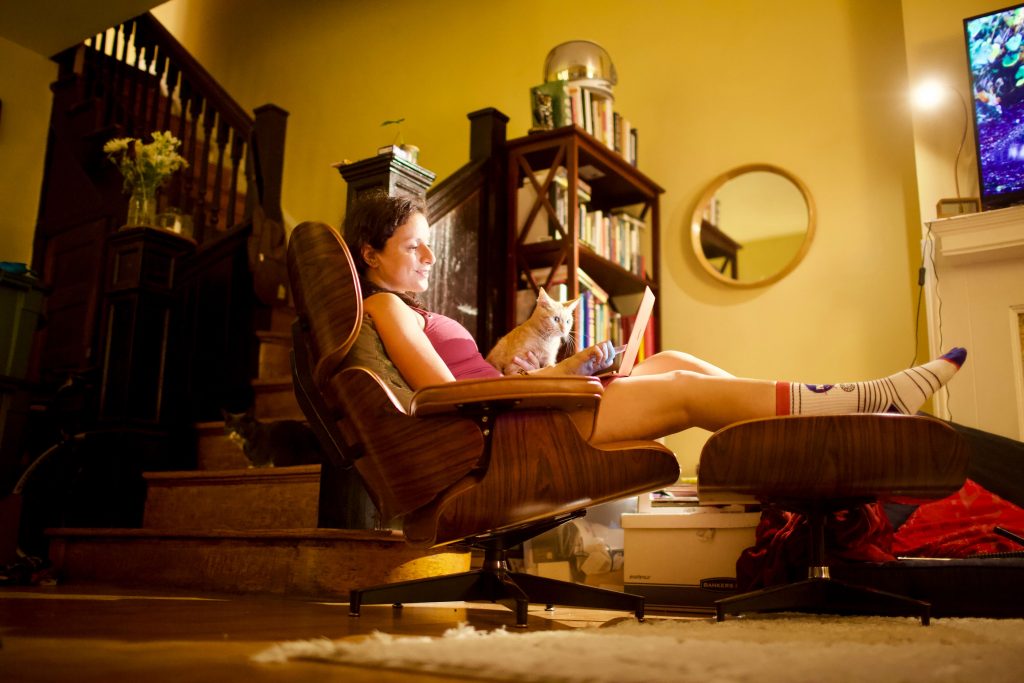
(496, 584)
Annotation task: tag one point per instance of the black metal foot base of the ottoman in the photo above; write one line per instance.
(825, 596)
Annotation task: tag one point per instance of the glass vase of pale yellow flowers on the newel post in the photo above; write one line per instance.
(145, 168)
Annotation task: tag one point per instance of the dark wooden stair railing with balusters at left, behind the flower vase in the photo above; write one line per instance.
(130, 81)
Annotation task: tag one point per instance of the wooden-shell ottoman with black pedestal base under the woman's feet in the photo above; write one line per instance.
(817, 465)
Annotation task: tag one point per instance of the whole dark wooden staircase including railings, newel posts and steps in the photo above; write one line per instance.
(221, 527)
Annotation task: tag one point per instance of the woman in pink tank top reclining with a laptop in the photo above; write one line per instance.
(670, 392)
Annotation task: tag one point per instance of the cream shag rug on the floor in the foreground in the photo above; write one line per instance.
(790, 649)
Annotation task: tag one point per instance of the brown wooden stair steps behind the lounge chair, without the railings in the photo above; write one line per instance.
(227, 528)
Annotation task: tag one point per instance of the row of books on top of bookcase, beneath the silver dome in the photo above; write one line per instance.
(559, 104)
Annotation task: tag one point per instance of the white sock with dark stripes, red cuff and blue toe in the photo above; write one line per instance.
(904, 393)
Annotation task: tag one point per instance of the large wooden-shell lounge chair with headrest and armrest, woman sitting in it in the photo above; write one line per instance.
(481, 463)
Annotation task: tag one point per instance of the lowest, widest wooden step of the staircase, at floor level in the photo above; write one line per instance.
(308, 563)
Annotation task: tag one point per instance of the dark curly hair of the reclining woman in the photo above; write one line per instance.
(372, 220)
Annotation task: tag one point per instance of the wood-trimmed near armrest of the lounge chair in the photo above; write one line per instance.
(580, 397)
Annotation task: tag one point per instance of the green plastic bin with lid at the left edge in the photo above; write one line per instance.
(21, 308)
